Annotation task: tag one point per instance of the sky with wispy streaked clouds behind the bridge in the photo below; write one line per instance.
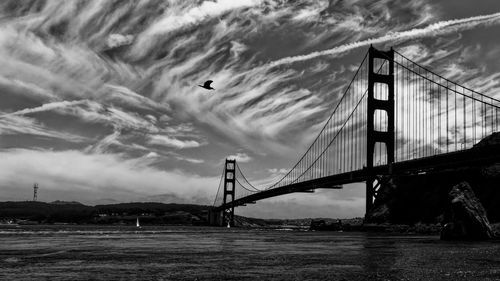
(99, 101)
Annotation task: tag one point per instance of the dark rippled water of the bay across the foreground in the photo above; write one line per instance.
(199, 253)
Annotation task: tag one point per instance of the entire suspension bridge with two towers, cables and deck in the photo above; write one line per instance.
(395, 117)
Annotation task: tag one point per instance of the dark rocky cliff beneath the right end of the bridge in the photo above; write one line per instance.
(425, 198)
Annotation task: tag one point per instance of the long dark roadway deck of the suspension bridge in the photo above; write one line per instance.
(473, 157)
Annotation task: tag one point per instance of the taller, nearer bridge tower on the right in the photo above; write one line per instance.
(375, 103)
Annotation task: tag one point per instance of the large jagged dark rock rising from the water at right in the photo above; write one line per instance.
(468, 217)
